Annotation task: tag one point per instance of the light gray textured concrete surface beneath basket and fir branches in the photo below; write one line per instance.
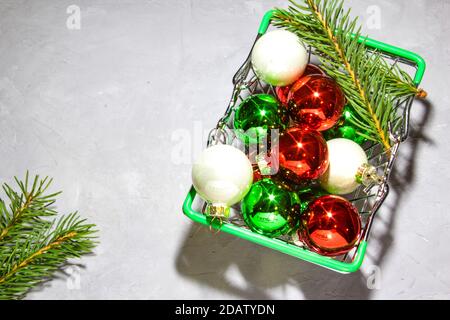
(103, 110)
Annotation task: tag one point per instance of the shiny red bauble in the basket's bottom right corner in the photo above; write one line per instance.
(330, 225)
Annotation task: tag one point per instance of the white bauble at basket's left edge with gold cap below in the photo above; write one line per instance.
(222, 175)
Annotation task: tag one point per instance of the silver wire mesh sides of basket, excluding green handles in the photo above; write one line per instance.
(366, 199)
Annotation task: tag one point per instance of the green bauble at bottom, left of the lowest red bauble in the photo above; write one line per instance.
(270, 209)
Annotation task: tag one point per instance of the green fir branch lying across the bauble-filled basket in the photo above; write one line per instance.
(369, 82)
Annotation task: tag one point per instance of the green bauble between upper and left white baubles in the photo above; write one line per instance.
(256, 116)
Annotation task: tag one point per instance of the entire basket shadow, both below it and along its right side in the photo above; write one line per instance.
(240, 268)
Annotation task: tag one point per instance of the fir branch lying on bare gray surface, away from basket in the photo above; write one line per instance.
(33, 243)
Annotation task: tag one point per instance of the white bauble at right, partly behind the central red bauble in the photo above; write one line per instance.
(345, 158)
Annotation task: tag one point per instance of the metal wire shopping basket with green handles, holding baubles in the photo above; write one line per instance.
(367, 200)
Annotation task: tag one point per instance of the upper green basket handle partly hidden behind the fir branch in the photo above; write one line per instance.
(417, 60)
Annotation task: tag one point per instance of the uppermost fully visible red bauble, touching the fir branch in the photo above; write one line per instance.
(315, 102)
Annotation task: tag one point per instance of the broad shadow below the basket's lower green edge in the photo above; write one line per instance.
(240, 268)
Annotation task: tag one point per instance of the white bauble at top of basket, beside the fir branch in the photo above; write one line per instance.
(279, 58)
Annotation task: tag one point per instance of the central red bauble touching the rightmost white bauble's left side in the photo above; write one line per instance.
(303, 155)
